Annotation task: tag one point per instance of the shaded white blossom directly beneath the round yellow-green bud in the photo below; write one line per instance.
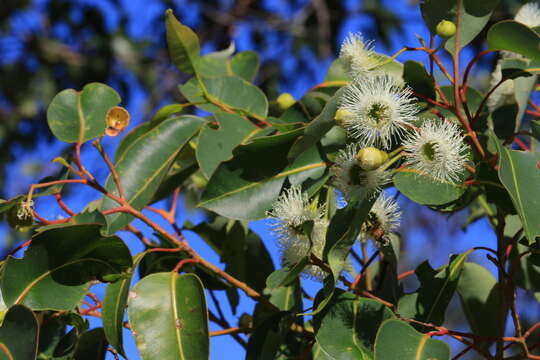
(354, 182)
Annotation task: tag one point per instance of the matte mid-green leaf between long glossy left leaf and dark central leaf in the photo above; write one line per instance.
(216, 145)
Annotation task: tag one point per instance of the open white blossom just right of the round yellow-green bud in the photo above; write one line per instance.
(437, 149)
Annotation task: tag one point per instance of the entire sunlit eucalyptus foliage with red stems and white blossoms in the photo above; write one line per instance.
(320, 169)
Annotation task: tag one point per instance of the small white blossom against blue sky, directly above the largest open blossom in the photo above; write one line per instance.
(358, 54)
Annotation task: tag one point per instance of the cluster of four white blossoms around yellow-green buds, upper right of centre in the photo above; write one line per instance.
(379, 113)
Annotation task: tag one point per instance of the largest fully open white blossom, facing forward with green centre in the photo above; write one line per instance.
(378, 109)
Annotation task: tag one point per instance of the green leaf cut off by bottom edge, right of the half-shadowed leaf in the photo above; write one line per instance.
(398, 336)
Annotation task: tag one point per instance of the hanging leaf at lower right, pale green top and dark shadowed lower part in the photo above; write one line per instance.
(480, 296)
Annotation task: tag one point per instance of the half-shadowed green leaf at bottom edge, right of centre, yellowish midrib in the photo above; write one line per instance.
(346, 329)
